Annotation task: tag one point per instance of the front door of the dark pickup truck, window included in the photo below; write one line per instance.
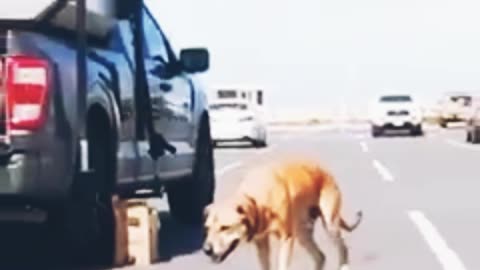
(171, 96)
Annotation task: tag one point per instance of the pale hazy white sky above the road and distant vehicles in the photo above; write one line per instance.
(314, 53)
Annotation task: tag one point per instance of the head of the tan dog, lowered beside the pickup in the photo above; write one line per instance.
(226, 226)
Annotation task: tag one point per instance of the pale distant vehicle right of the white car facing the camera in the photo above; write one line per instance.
(453, 107)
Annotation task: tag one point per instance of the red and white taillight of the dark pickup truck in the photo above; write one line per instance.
(26, 86)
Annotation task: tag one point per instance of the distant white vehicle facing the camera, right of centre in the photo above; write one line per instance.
(395, 112)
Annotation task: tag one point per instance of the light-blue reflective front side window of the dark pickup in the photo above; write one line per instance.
(155, 41)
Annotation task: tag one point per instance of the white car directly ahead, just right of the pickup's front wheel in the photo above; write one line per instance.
(237, 120)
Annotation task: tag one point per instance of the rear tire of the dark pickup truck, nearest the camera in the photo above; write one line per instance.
(86, 223)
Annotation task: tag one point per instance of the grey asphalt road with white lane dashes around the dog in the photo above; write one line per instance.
(418, 196)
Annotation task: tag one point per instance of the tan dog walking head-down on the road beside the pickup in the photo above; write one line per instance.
(283, 200)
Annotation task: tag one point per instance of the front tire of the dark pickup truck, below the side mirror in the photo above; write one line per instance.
(187, 198)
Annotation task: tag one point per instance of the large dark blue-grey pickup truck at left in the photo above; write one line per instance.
(44, 155)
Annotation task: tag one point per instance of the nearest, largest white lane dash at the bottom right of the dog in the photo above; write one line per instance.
(446, 256)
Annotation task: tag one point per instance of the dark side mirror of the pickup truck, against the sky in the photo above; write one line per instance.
(194, 60)
